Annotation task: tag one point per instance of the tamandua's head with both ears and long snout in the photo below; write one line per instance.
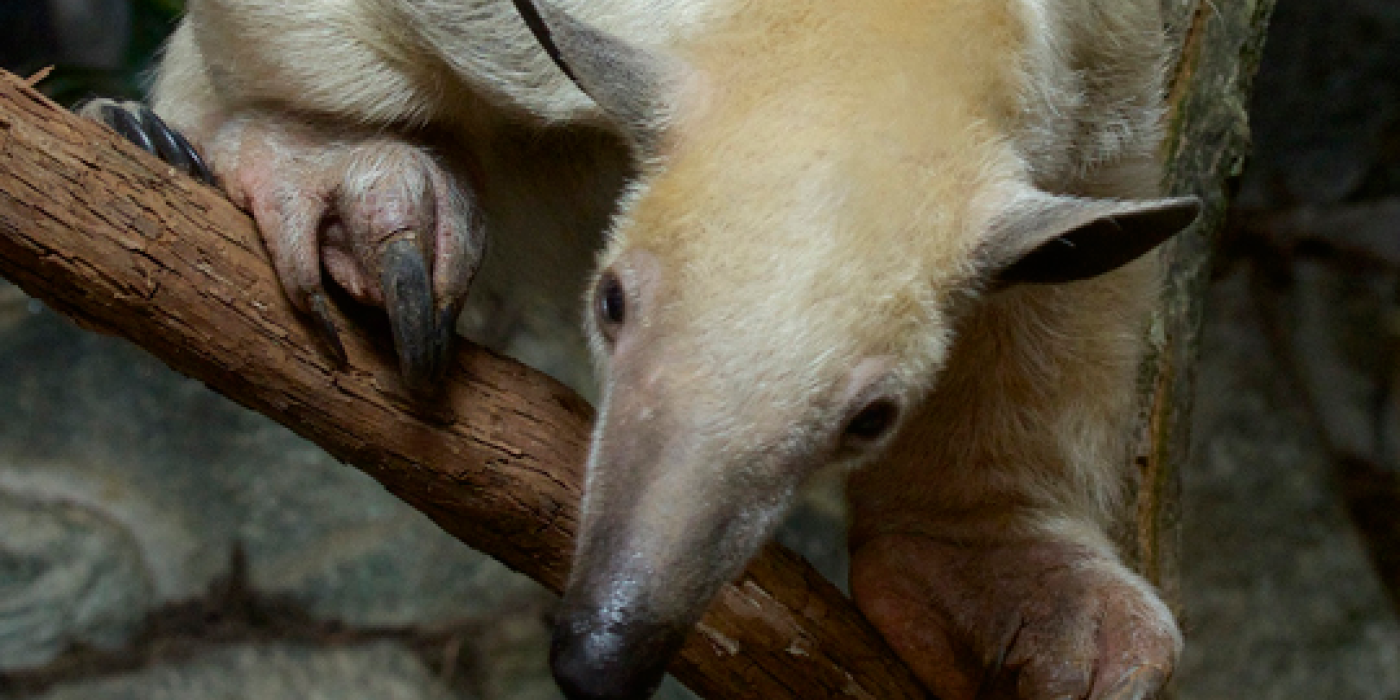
(779, 292)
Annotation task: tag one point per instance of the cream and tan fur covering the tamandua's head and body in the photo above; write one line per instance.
(820, 220)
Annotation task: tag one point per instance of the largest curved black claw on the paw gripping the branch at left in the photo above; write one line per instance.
(408, 297)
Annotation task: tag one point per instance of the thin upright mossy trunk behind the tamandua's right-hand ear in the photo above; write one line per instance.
(1219, 47)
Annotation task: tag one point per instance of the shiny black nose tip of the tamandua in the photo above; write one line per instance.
(594, 660)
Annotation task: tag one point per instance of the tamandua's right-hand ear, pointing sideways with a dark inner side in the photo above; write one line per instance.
(1051, 240)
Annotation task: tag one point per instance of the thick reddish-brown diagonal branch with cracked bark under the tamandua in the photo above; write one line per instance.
(124, 246)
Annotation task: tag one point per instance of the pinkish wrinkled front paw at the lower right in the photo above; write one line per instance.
(1028, 621)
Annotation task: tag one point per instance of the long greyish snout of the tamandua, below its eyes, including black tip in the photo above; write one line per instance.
(673, 512)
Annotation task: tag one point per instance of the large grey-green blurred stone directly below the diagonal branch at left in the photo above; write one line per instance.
(184, 475)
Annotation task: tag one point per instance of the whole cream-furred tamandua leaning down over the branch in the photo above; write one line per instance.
(905, 239)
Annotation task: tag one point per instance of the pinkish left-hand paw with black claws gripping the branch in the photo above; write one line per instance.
(379, 215)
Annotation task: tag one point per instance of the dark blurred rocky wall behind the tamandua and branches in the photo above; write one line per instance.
(157, 542)
